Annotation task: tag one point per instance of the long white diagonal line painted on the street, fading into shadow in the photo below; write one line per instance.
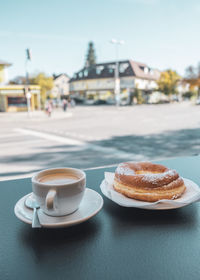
(106, 150)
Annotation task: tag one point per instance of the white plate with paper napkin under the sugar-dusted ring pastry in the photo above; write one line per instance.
(192, 194)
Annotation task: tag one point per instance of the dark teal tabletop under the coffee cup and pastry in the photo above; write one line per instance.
(118, 243)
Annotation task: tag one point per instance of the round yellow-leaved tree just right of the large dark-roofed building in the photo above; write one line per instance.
(168, 81)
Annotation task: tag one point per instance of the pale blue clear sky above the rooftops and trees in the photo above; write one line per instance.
(161, 33)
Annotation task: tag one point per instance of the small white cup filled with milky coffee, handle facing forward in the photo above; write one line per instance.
(59, 191)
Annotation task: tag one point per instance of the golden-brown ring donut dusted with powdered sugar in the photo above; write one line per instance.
(147, 181)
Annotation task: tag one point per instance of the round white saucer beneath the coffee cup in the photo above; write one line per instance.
(90, 205)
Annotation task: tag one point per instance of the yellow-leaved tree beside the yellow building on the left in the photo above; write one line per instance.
(45, 83)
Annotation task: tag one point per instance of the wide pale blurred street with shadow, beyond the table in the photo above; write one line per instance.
(87, 137)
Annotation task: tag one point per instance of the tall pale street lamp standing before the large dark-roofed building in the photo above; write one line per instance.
(117, 43)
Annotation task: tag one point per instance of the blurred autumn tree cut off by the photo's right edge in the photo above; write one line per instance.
(193, 77)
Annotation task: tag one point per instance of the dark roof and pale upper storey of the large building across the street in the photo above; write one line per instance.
(100, 78)
